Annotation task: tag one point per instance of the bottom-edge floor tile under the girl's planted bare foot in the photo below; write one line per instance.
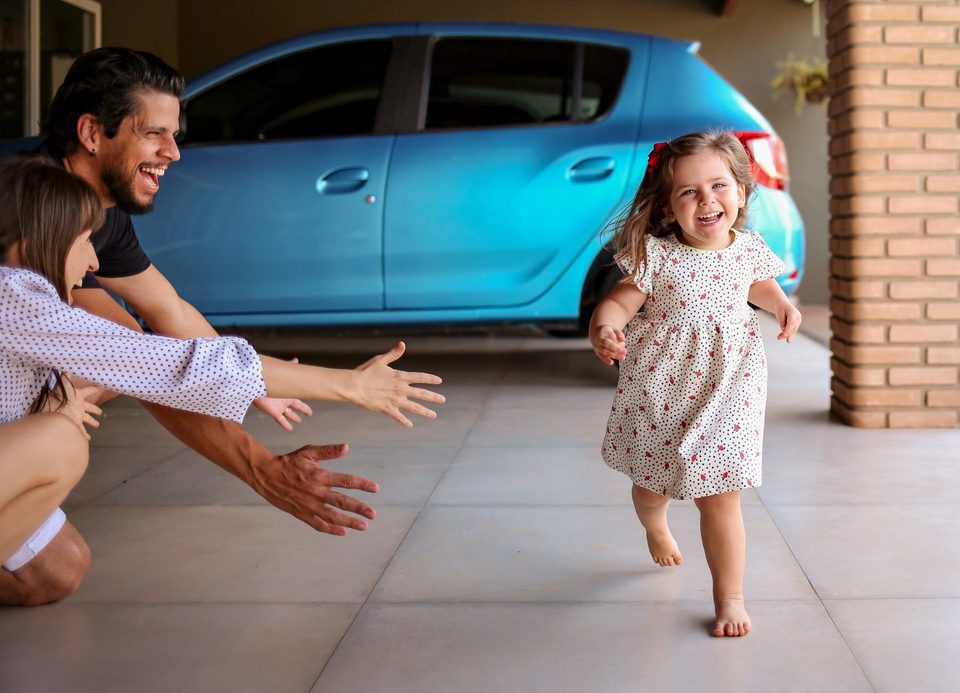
(602, 648)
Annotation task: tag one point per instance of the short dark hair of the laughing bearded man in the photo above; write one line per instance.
(106, 83)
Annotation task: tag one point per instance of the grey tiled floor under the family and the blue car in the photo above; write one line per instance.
(505, 556)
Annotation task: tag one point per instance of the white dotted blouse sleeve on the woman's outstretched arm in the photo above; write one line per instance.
(218, 376)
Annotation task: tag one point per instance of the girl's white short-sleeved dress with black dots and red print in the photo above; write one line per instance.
(687, 418)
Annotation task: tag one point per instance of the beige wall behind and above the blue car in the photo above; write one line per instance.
(744, 48)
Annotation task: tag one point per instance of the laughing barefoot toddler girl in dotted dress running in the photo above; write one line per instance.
(687, 419)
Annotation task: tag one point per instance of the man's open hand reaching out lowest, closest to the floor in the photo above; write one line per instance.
(297, 484)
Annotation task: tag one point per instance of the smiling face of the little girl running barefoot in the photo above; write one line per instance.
(705, 200)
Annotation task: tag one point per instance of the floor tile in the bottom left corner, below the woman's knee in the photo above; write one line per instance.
(84, 648)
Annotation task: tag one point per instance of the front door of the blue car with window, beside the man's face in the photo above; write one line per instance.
(274, 207)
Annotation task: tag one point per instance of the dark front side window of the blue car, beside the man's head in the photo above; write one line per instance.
(326, 92)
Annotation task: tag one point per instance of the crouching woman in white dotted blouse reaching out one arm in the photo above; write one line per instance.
(46, 221)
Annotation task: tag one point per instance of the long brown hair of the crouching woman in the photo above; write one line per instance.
(43, 209)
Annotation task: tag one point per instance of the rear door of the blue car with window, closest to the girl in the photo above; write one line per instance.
(519, 159)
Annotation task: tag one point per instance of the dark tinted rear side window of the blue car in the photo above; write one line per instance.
(493, 82)
